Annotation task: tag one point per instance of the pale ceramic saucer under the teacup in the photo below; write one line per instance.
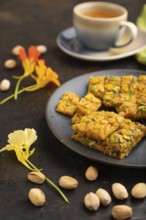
(67, 41)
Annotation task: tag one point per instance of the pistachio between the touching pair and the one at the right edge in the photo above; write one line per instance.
(119, 191)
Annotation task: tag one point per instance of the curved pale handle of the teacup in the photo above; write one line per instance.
(131, 28)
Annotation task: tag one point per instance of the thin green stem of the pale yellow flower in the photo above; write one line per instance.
(50, 182)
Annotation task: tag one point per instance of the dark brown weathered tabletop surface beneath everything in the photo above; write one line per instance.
(33, 22)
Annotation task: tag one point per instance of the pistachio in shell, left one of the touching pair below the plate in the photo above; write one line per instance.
(91, 201)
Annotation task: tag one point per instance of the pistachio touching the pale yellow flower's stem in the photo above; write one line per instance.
(36, 177)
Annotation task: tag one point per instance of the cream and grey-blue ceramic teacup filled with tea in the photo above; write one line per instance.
(101, 25)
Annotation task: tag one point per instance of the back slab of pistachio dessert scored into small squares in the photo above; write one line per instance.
(126, 94)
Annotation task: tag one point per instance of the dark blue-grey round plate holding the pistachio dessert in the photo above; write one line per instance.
(61, 127)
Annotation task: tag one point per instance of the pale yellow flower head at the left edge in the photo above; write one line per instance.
(20, 141)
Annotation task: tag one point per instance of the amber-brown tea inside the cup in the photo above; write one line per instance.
(101, 13)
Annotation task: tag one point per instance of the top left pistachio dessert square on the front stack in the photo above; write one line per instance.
(98, 125)
